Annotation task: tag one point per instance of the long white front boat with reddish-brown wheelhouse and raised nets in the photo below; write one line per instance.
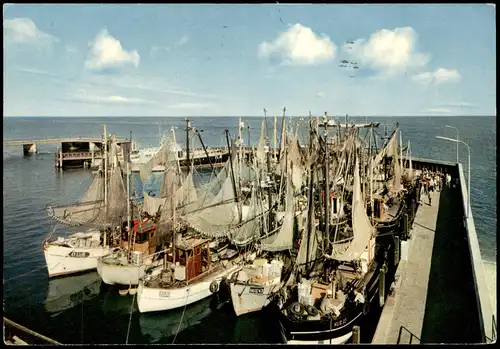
(193, 269)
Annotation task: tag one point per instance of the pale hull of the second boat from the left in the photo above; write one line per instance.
(119, 274)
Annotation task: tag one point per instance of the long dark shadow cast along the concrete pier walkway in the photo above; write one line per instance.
(451, 314)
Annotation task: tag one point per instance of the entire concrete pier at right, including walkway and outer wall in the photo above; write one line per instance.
(457, 302)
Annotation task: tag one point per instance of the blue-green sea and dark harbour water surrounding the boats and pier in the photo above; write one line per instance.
(80, 310)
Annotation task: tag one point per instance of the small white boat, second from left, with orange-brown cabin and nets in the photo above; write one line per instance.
(139, 249)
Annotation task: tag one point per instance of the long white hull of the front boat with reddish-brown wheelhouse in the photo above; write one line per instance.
(151, 299)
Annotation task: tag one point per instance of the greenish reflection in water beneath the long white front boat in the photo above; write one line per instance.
(157, 326)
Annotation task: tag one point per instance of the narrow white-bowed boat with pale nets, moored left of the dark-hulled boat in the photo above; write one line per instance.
(252, 287)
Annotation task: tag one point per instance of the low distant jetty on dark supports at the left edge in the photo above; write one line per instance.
(73, 152)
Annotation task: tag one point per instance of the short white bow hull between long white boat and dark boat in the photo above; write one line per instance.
(248, 298)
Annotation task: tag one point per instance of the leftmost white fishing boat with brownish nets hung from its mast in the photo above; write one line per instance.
(97, 218)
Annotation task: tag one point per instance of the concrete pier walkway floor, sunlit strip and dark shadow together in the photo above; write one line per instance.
(433, 299)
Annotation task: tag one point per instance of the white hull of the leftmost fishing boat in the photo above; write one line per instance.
(62, 260)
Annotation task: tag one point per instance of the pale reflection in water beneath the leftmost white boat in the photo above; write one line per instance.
(66, 292)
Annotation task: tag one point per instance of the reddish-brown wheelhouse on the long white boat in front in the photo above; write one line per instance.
(194, 256)
